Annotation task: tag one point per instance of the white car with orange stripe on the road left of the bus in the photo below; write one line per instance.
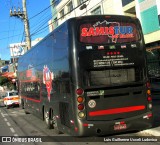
(11, 99)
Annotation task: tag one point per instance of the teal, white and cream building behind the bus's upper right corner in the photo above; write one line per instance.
(148, 12)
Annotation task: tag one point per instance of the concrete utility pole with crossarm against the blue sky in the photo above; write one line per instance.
(23, 15)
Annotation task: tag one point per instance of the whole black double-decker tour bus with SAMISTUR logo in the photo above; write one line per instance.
(88, 77)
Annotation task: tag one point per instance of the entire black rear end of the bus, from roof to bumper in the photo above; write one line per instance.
(110, 76)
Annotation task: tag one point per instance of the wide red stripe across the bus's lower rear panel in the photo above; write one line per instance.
(117, 110)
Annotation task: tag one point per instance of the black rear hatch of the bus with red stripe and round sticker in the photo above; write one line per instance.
(113, 103)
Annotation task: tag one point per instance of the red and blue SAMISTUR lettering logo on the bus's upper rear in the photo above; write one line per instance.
(111, 29)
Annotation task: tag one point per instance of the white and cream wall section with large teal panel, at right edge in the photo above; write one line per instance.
(148, 11)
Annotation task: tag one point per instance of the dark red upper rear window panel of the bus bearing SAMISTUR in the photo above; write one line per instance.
(104, 32)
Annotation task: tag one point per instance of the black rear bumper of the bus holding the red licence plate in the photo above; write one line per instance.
(100, 128)
